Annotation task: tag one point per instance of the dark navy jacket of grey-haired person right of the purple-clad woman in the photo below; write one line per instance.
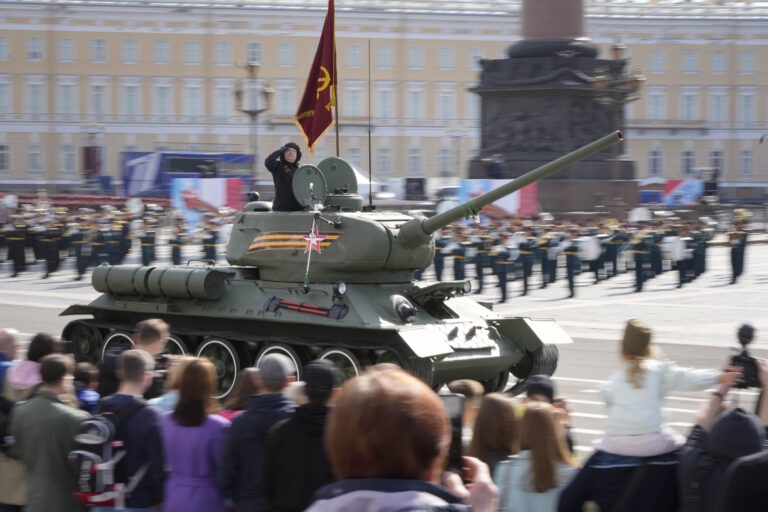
(241, 459)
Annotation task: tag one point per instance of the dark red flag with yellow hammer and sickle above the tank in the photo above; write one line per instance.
(314, 116)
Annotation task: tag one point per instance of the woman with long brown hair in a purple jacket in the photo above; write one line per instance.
(193, 435)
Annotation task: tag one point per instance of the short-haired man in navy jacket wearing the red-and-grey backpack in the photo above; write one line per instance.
(139, 427)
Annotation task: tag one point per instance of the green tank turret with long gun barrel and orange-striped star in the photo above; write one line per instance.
(356, 245)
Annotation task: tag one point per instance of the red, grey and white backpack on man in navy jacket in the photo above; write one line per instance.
(100, 482)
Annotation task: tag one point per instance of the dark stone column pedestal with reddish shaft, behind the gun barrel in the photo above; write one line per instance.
(552, 96)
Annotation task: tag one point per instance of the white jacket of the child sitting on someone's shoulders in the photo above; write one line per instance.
(638, 411)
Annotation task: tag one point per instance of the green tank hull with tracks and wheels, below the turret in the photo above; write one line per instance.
(448, 336)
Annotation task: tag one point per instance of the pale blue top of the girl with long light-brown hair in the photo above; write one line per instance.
(514, 476)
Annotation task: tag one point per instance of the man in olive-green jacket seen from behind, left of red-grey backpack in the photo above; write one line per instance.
(43, 429)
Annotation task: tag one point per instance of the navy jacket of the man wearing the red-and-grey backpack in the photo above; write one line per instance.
(142, 434)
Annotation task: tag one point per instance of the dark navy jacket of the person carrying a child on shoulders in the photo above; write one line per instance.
(605, 475)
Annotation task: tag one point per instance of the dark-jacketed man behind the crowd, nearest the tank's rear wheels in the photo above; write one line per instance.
(151, 337)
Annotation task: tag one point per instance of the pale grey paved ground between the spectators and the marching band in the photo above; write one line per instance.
(694, 326)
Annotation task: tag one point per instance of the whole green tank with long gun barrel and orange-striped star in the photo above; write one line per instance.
(334, 281)
